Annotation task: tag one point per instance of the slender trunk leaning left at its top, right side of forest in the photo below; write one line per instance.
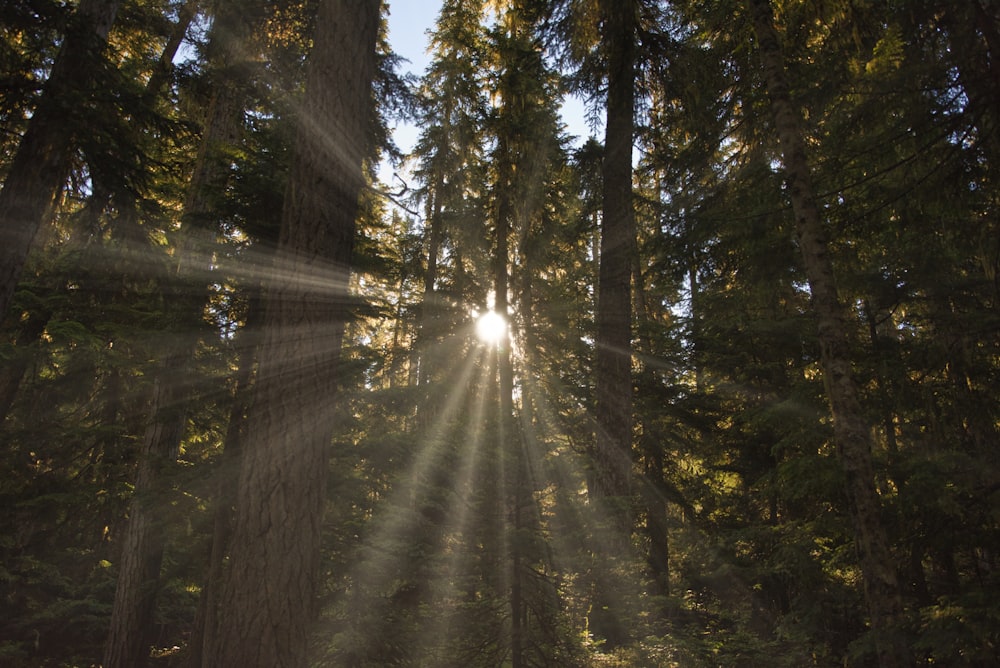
(852, 435)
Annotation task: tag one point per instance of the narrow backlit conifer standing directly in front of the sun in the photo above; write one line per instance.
(524, 129)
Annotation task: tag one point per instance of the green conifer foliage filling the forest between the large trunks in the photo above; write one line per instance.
(744, 552)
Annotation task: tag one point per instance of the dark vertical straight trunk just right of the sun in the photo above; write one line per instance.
(612, 469)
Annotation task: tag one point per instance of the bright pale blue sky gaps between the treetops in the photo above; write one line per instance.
(409, 24)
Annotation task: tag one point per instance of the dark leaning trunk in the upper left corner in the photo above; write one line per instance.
(40, 166)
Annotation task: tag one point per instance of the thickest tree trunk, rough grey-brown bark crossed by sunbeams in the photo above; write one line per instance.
(268, 598)
